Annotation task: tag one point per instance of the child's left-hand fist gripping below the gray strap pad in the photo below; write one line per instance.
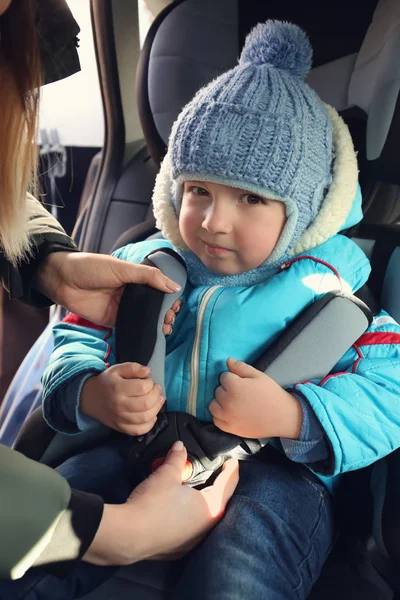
(124, 398)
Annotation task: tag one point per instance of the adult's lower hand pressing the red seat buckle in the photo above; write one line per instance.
(162, 519)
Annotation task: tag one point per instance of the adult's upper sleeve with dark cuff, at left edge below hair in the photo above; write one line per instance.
(47, 236)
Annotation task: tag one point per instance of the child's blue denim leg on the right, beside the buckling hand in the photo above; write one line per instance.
(272, 542)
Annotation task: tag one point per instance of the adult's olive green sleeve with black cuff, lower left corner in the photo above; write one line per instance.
(42, 521)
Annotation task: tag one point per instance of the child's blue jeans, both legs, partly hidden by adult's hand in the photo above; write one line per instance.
(271, 544)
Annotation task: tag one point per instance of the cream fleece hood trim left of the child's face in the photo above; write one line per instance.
(163, 206)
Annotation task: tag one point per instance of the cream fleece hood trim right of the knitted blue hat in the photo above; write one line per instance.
(338, 202)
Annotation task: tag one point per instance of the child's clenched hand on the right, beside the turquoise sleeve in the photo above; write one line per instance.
(250, 404)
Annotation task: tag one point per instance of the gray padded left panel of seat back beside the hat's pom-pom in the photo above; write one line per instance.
(195, 43)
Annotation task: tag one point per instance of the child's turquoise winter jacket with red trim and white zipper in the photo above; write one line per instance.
(357, 404)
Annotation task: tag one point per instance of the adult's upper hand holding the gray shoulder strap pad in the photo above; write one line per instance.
(91, 285)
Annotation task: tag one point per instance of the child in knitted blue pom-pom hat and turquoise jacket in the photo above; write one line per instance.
(259, 178)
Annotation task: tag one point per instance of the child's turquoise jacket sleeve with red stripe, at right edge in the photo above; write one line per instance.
(358, 404)
